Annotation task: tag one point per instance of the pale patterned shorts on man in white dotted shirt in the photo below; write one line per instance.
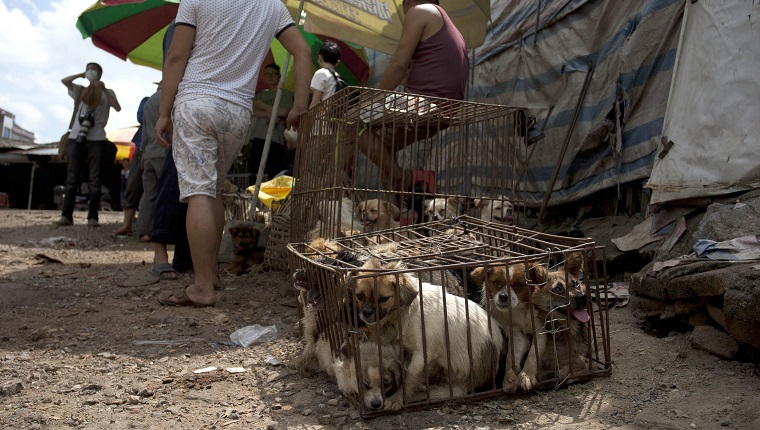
(208, 135)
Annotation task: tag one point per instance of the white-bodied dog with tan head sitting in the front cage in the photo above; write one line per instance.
(393, 307)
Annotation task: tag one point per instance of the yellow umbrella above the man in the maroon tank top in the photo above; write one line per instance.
(377, 25)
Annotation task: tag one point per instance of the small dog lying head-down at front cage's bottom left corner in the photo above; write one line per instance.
(381, 374)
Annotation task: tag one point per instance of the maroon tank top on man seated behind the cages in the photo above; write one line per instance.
(440, 63)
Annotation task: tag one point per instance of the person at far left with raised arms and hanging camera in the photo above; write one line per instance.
(86, 141)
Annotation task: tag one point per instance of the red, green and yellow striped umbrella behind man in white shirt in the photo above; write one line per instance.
(134, 30)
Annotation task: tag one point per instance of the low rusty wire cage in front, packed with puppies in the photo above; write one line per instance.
(436, 312)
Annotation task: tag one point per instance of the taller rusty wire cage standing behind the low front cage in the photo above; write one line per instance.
(370, 159)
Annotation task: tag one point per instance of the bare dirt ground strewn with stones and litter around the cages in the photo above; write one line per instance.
(77, 350)
